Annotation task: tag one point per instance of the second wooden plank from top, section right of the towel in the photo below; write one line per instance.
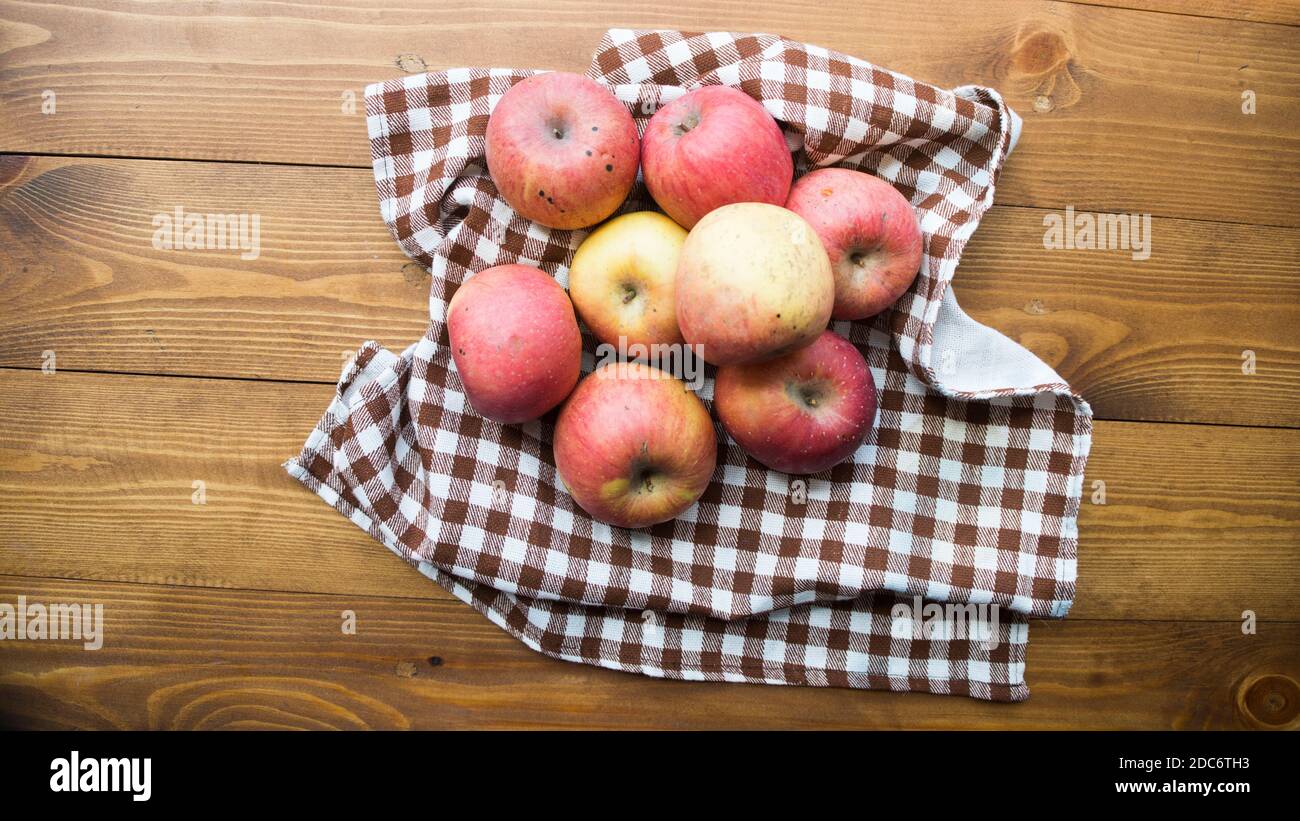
(1158, 340)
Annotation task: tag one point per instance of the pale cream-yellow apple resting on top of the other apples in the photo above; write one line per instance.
(753, 284)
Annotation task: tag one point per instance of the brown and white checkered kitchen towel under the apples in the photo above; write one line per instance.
(967, 492)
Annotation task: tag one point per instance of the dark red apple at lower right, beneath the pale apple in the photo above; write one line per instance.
(804, 412)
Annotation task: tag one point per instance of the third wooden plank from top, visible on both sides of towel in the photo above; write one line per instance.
(97, 477)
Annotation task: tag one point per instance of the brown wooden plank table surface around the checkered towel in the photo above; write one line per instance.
(177, 368)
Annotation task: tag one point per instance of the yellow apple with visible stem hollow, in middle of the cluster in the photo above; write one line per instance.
(623, 280)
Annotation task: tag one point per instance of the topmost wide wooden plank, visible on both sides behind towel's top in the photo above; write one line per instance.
(1123, 107)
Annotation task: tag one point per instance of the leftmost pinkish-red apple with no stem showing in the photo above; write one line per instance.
(515, 342)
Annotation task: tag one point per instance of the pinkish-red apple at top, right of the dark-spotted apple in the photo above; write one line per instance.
(713, 147)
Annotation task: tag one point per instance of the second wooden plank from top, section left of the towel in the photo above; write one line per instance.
(79, 240)
